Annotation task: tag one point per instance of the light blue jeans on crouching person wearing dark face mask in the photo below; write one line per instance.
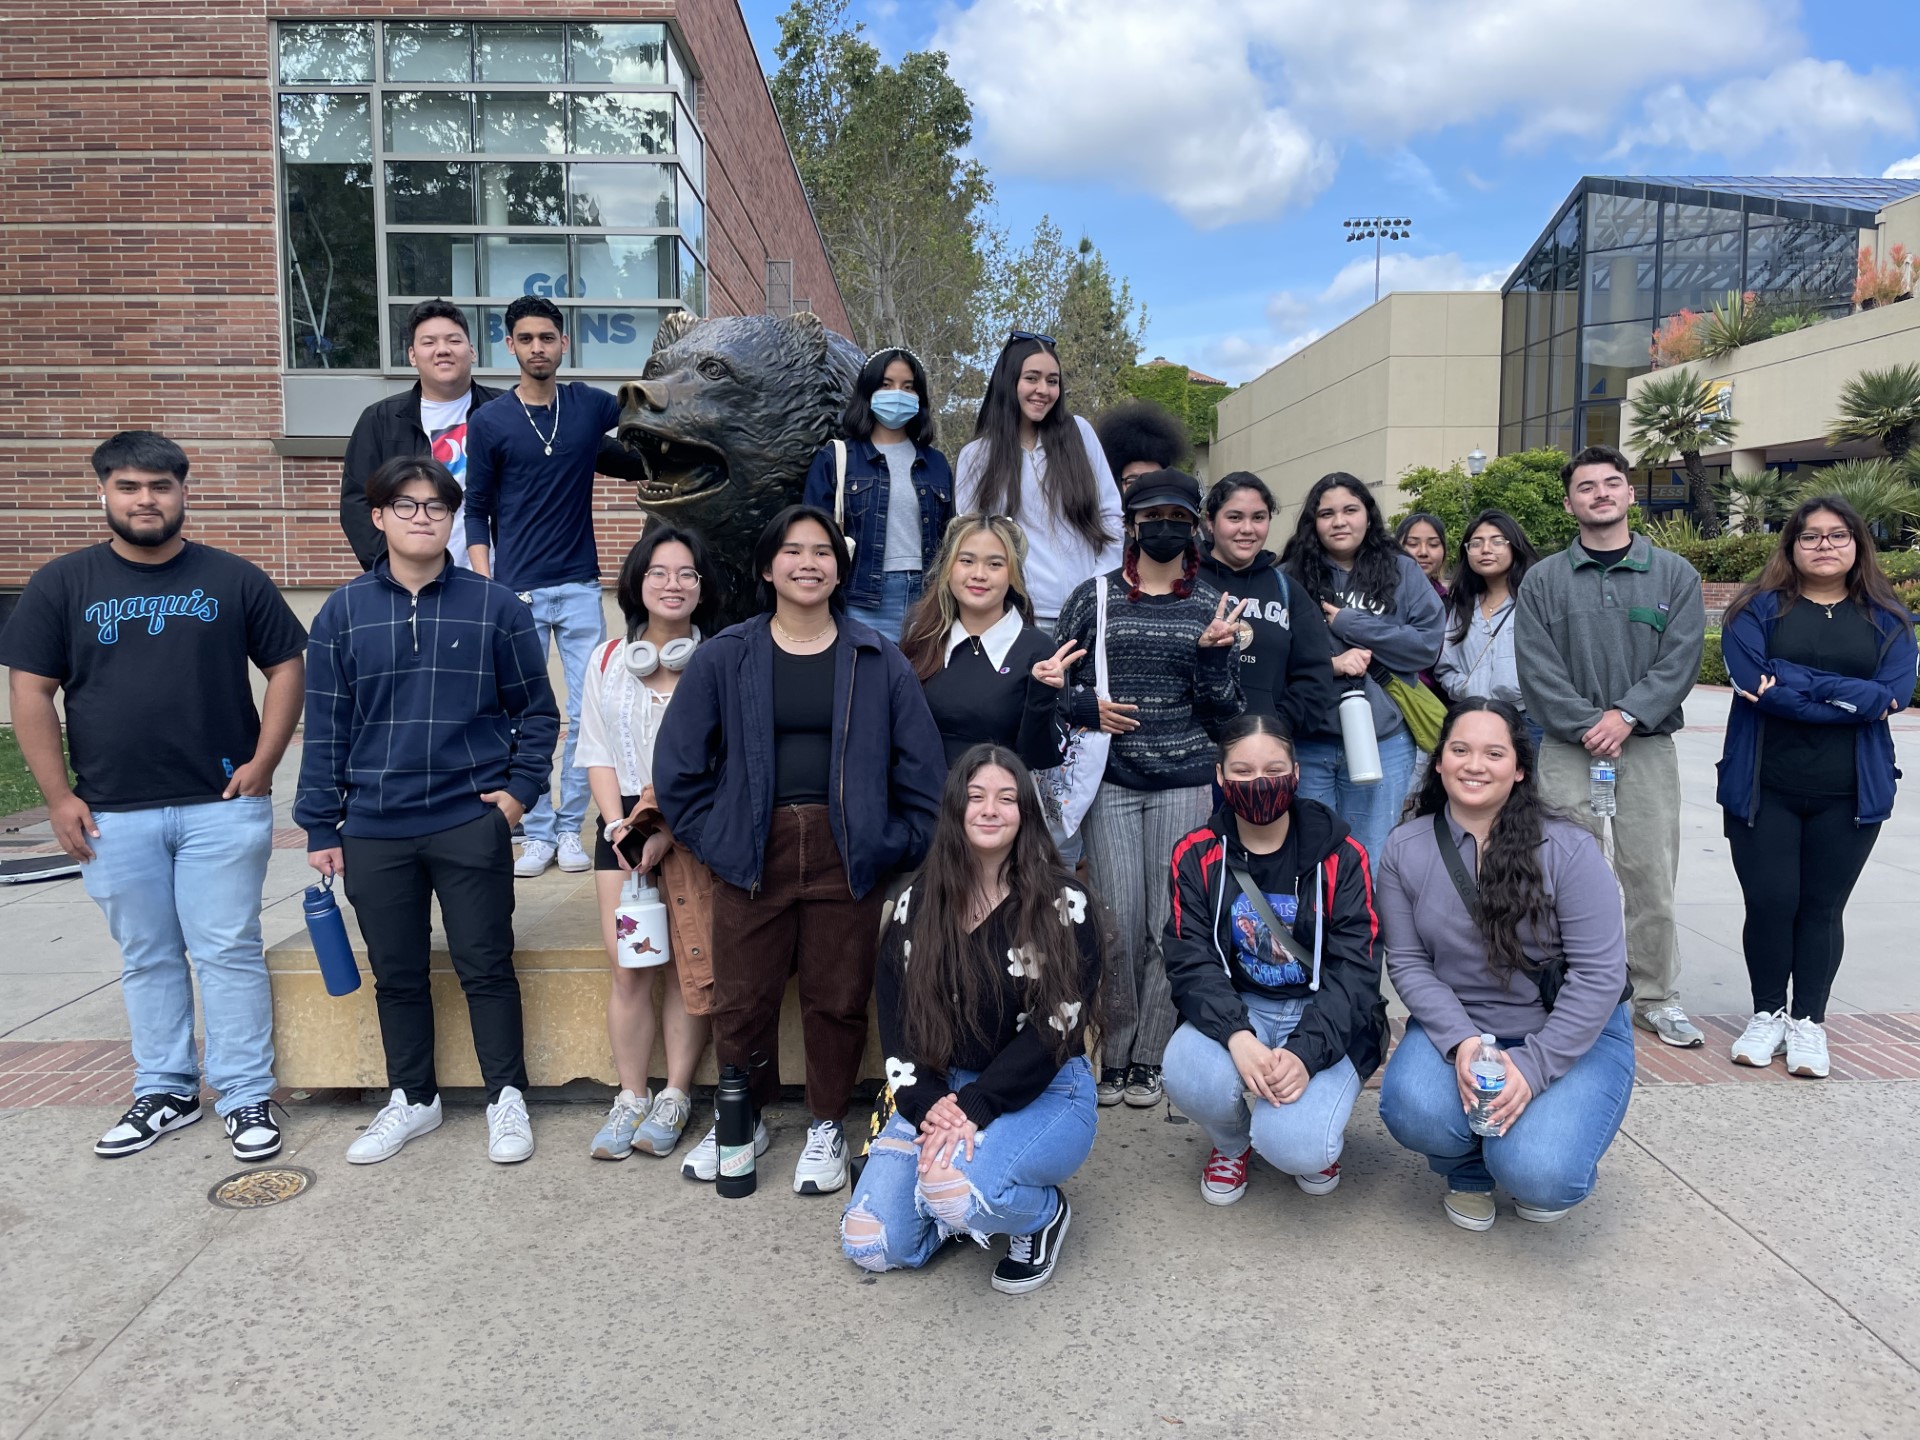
(1303, 1138)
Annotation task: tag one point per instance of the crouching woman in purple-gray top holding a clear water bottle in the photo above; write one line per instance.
(1531, 951)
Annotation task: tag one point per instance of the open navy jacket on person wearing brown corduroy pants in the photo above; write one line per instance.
(713, 761)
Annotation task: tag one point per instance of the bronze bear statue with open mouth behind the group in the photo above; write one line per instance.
(727, 418)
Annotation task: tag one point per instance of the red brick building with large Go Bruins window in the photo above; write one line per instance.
(216, 214)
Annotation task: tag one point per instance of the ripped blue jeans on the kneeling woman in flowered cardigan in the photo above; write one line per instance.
(898, 1218)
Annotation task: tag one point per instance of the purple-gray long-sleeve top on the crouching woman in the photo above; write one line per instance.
(1437, 955)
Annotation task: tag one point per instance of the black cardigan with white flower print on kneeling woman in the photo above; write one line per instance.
(1017, 1065)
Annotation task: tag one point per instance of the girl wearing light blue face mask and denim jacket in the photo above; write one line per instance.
(888, 487)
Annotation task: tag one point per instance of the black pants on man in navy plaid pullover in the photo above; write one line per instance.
(391, 884)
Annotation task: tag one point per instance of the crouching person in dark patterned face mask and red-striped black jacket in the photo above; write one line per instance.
(1274, 969)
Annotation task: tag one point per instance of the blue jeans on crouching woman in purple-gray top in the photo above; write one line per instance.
(1548, 1157)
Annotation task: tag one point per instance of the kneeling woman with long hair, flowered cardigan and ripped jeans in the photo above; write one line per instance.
(988, 982)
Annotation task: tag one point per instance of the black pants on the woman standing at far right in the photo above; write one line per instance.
(1798, 863)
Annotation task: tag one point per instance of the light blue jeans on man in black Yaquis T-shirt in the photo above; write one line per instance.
(176, 882)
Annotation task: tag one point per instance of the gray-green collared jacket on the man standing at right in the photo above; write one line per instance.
(1595, 640)
